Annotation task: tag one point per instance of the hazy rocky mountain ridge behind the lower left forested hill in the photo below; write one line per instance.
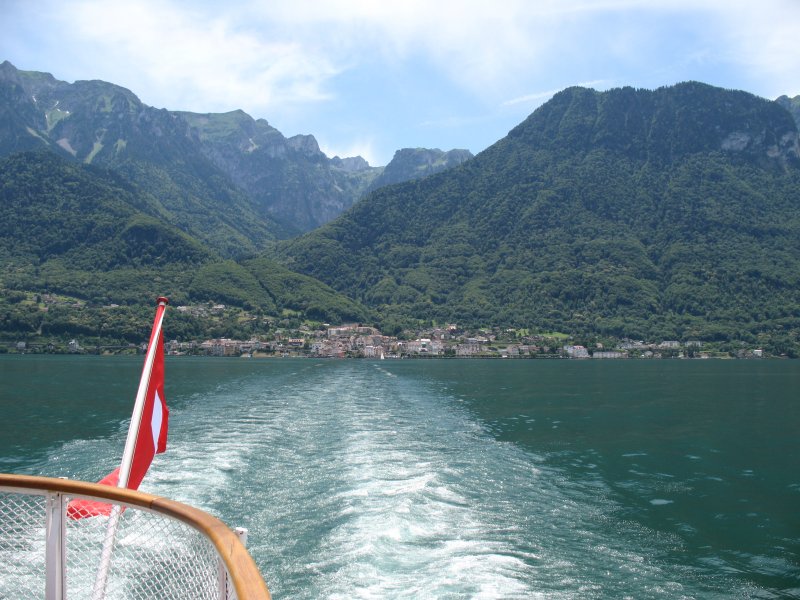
(278, 186)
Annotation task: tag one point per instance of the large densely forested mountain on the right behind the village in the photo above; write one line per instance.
(671, 214)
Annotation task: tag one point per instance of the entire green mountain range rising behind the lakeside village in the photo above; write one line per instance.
(672, 214)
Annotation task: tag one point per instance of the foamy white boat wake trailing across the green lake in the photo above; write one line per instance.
(356, 484)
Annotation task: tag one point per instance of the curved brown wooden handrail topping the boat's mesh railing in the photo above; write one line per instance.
(244, 573)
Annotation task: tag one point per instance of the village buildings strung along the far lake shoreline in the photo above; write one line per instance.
(359, 341)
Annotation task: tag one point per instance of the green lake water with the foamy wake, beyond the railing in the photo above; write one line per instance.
(454, 479)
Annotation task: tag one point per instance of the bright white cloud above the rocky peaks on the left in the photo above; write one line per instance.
(198, 61)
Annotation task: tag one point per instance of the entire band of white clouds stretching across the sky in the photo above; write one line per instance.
(265, 56)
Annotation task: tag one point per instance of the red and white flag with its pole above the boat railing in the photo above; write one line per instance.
(147, 434)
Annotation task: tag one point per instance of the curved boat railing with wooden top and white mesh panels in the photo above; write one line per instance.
(162, 549)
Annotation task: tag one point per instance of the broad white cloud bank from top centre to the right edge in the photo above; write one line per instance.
(486, 47)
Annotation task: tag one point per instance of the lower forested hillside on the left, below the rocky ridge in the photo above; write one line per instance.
(83, 252)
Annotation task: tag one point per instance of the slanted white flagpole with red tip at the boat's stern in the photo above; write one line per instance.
(101, 580)
